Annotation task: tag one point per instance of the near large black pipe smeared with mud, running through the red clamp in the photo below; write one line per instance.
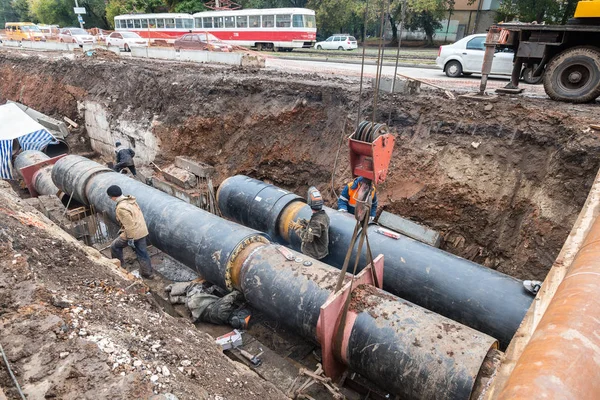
(401, 347)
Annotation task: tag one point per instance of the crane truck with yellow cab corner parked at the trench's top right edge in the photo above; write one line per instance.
(568, 56)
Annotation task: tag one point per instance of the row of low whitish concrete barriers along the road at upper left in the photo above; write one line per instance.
(162, 53)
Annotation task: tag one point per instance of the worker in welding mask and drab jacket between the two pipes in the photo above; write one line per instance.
(314, 233)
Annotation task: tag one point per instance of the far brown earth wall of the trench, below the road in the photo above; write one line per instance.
(503, 181)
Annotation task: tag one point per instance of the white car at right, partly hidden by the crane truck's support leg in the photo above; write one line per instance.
(465, 57)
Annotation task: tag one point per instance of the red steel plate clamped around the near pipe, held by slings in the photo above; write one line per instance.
(331, 312)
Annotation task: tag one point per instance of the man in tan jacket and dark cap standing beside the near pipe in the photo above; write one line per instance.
(133, 230)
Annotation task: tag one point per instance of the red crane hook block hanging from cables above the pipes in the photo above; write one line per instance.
(371, 160)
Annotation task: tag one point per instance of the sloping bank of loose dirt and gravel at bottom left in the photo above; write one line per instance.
(75, 326)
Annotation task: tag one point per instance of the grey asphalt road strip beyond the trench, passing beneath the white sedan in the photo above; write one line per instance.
(435, 76)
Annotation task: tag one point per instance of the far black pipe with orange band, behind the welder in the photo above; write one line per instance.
(476, 296)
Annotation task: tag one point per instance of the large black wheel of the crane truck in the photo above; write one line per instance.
(574, 75)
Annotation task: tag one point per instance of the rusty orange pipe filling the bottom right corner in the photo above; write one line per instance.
(562, 358)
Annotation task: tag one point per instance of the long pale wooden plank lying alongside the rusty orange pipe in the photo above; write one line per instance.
(587, 215)
